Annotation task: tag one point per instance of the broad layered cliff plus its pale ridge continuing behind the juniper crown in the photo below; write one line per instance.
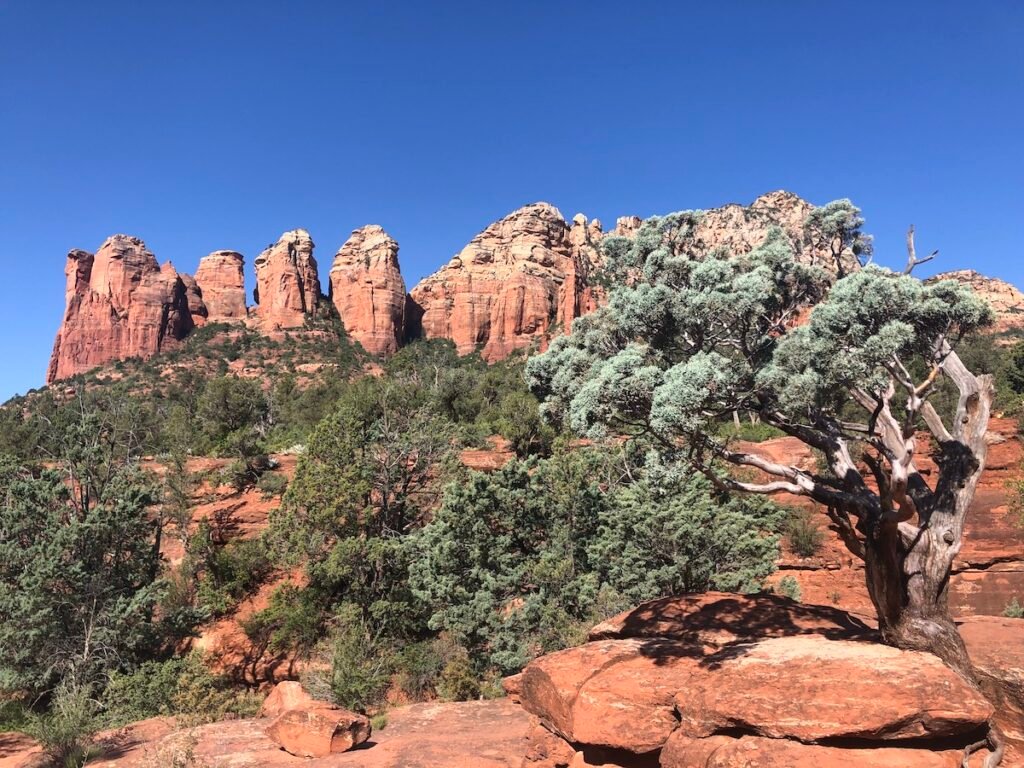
(532, 274)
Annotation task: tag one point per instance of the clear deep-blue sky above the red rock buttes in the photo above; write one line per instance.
(207, 125)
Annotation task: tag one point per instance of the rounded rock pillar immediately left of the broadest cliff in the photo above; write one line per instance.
(368, 290)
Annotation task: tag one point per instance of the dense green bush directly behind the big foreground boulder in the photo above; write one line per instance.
(521, 562)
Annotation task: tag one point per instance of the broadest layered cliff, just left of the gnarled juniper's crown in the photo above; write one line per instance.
(514, 283)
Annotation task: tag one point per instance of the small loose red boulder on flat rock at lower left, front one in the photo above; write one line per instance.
(317, 733)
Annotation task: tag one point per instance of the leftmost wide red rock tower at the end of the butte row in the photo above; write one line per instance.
(119, 304)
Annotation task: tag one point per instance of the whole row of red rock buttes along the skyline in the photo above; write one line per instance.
(519, 283)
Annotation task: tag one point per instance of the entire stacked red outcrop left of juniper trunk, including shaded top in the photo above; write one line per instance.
(660, 690)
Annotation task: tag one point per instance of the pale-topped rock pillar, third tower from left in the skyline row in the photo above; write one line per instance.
(287, 282)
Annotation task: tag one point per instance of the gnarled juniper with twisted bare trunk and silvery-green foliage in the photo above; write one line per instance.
(688, 339)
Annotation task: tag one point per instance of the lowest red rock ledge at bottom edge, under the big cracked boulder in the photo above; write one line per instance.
(756, 752)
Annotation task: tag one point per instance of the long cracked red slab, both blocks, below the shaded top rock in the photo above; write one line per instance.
(632, 695)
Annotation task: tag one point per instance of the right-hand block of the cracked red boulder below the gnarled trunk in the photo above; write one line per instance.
(801, 688)
